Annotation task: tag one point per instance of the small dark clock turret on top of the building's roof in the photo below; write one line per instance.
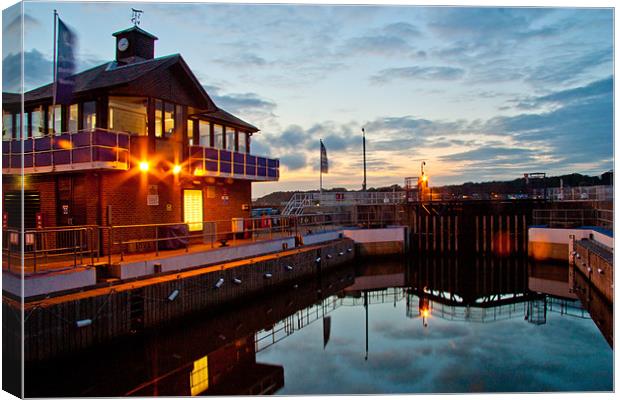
(133, 45)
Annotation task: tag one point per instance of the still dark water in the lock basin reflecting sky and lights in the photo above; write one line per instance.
(386, 326)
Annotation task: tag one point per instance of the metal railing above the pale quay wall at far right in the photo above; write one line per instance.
(570, 218)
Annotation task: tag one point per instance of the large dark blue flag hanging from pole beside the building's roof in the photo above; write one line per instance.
(65, 64)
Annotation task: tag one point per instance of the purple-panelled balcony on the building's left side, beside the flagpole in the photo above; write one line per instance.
(83, 150)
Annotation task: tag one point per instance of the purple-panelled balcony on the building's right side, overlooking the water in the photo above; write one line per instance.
(207, 161)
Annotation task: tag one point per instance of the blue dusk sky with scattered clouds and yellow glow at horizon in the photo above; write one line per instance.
(479, 94)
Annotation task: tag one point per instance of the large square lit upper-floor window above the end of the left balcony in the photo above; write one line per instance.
(128, 114)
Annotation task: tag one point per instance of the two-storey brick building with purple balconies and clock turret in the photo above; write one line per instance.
(141, 143)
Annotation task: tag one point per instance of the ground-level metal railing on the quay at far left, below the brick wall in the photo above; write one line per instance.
(49, 249)
